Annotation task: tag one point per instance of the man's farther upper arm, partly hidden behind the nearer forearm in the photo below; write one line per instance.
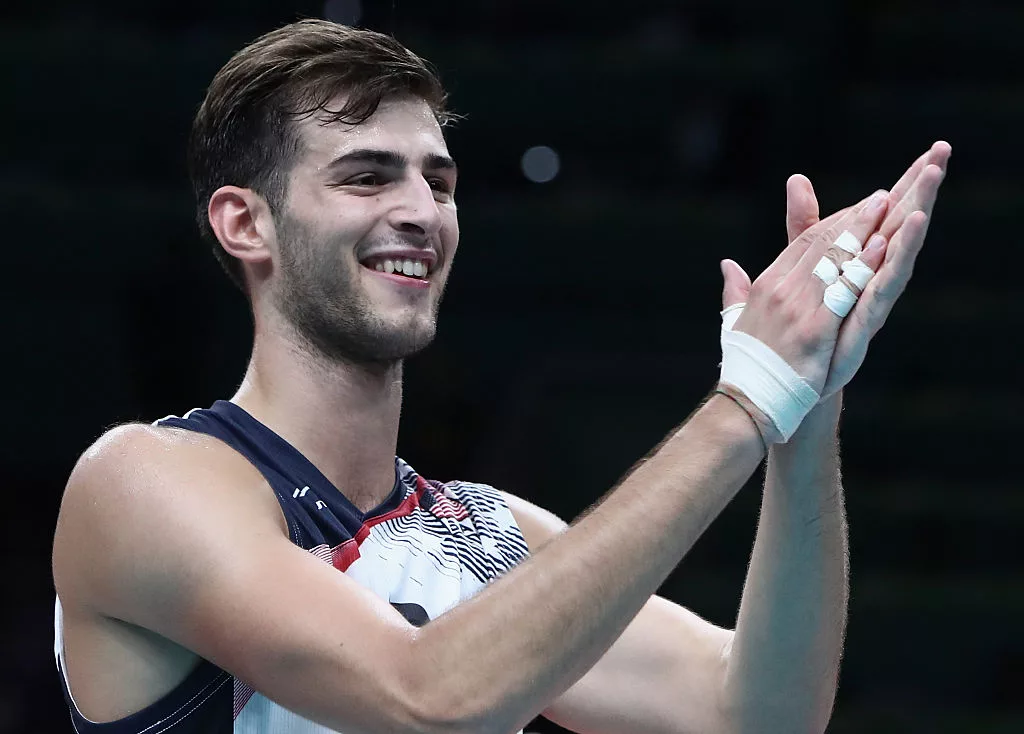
(664, 674)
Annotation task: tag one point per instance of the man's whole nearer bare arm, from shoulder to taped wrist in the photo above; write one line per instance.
(152, 534)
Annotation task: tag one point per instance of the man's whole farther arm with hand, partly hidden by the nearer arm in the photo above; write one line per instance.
(672, 672)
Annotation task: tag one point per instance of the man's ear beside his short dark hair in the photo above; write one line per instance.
(242, 222)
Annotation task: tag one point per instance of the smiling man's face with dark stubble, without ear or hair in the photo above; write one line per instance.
(368, 234)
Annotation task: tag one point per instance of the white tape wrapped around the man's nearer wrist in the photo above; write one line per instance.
(764, 377)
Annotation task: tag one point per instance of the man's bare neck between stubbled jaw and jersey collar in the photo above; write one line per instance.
(343, 417)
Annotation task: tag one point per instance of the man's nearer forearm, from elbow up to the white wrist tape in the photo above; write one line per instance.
(526, 639)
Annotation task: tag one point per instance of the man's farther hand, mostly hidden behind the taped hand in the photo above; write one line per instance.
(912, 201)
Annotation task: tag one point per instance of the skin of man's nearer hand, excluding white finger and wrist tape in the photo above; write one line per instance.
(785, 307)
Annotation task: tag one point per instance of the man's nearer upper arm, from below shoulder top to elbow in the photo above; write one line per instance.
(209, 569)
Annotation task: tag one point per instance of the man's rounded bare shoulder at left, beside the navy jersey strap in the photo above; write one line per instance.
(143, 492)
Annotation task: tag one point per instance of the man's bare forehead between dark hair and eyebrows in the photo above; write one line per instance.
(407, 126)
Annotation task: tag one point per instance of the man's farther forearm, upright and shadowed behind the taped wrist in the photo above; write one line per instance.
(784, 665)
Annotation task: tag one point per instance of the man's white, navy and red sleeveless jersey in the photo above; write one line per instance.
(428, 547)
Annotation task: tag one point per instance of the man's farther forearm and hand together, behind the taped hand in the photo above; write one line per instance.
(784, 665)
